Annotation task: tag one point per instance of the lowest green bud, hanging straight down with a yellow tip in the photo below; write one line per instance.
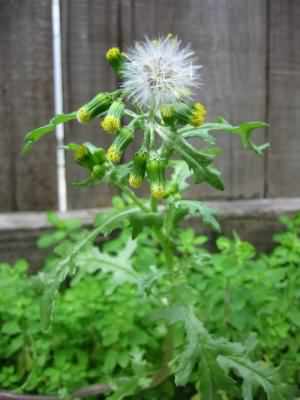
(156, 167)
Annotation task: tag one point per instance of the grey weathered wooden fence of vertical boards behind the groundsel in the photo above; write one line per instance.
(251, 57)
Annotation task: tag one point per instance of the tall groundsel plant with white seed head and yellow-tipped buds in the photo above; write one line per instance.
(156, 102)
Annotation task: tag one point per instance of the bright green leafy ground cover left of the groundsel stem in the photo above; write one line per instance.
(99, 328)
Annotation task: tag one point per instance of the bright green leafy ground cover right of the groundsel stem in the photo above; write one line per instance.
(255, 293)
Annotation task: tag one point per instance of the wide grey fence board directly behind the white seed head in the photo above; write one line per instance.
(229, 38)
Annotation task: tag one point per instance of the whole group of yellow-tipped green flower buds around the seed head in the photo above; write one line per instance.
(149, 162)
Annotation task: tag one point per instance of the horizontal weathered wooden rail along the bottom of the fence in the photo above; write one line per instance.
(253, 220)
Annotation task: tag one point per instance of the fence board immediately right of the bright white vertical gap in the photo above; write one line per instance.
(89, 28)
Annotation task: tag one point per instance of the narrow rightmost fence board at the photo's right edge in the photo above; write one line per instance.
(284, 99)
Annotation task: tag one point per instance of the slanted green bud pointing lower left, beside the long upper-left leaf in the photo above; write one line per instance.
(94, 107)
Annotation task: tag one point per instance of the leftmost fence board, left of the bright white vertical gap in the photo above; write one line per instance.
(26, 102)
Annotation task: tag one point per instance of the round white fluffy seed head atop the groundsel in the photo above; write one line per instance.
(160, 71)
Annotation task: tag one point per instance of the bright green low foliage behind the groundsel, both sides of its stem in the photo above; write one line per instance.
(102, 332)
